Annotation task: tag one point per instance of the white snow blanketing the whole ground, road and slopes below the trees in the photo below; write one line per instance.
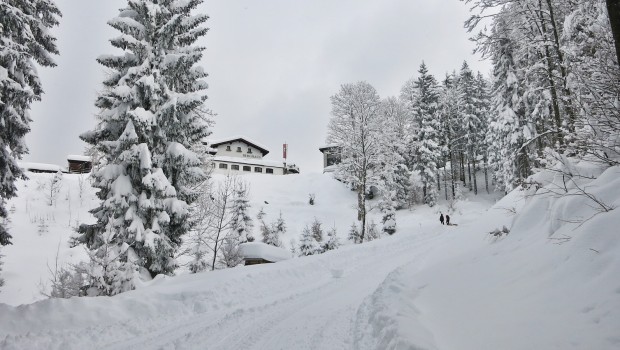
(551, 283)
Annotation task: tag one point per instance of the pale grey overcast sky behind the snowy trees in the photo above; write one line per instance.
(272, 64)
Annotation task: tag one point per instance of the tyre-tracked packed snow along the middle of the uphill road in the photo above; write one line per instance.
(311, 312)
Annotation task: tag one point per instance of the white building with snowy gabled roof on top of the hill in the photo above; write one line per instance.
(239, 155)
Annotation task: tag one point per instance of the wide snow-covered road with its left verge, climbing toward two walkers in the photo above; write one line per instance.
(297, 304)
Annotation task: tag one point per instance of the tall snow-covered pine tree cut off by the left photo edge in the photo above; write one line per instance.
(25, 41)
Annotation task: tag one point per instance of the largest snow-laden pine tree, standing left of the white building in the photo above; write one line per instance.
(151, 115)
